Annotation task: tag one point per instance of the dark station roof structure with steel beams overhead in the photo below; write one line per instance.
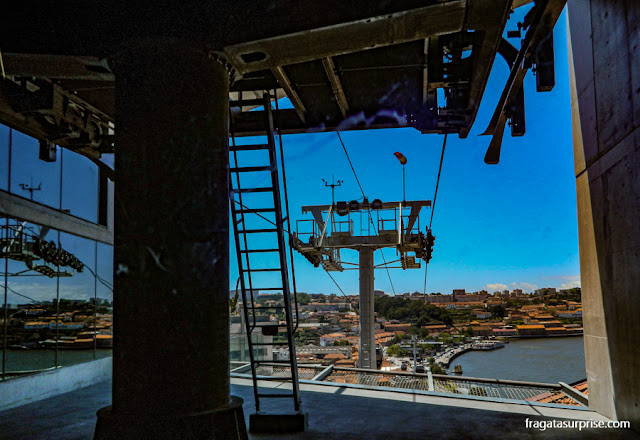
(344, 65)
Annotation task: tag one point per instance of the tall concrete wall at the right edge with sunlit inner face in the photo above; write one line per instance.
(605, 102)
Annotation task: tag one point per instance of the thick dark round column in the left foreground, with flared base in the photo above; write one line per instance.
(171, 257)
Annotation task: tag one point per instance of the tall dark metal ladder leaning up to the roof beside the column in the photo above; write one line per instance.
(247, 237)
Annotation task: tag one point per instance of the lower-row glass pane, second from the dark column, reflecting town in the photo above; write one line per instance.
(77, 296)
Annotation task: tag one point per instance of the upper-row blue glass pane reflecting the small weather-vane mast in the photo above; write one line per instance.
(31, 177)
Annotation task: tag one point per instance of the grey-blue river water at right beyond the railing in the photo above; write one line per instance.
(548, 360)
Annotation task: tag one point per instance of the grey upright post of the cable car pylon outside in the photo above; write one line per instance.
(367, 348)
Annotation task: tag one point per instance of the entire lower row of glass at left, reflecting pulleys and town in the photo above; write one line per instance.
(56, 314)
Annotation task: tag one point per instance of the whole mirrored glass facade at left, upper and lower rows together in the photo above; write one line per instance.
(56, 288)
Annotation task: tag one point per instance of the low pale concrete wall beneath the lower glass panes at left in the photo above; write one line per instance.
(28, 389)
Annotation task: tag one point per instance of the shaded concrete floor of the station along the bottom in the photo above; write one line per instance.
(334, 413)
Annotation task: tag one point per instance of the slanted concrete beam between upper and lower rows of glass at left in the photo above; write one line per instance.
(20, 208)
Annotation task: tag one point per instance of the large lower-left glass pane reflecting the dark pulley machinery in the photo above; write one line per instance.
(31, 294)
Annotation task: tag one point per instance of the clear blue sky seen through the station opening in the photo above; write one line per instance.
(496, 226)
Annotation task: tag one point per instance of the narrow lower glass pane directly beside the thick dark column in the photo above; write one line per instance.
(104, 293)
